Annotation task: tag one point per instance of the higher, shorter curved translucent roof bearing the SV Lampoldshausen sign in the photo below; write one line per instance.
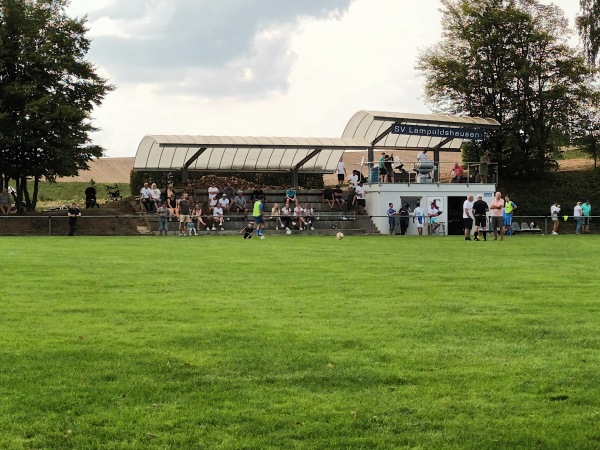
(372, 125)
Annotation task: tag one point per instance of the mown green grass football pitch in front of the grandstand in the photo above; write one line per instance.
(300, 342)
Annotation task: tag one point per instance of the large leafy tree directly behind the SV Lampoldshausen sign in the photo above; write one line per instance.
(507, 59)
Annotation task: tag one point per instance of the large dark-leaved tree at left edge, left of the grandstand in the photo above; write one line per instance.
(48, 91)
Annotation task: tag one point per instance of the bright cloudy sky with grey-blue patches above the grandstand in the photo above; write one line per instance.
(256, 67)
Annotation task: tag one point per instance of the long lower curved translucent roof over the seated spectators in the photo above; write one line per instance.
(242, 154)
